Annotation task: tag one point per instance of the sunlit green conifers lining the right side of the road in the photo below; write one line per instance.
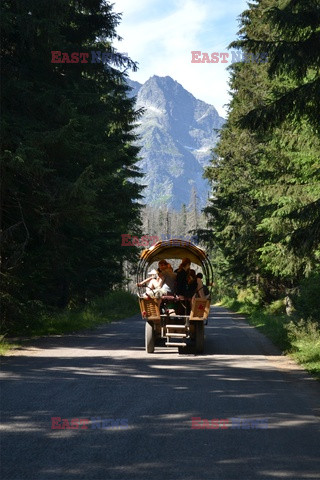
(265, 211)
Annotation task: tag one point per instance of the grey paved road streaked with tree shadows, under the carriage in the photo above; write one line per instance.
(106, 373)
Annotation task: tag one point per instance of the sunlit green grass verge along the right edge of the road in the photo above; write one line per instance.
(298, 338)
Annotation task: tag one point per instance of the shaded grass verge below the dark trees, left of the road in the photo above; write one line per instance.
(114, 306)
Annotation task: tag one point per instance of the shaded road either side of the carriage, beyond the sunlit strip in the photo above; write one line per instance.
(225, 334)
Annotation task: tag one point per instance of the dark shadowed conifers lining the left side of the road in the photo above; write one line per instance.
(68, 163)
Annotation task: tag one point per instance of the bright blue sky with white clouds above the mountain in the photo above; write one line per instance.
(160, 35)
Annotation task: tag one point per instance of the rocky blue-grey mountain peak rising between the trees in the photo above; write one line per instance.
(177, 134)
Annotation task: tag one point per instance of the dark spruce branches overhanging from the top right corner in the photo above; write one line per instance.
(289, 32)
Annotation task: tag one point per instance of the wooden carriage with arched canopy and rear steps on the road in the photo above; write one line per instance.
(172, 321)
